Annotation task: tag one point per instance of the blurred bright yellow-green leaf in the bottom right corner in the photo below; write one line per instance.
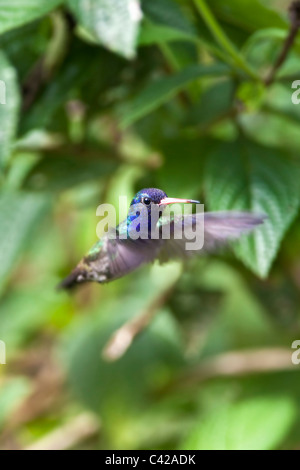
(256, 424)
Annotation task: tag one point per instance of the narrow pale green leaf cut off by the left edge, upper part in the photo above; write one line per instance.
(9, 108)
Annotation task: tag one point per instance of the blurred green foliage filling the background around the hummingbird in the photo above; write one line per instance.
(103, 101)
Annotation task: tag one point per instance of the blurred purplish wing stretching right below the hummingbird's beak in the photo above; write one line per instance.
(219, 228)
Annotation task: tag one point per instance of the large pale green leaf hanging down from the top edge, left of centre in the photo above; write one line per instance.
(113, 23)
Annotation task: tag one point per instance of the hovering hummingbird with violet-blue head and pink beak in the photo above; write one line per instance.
(118, 253)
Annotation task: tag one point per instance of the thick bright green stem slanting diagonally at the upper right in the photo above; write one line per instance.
(223, 40)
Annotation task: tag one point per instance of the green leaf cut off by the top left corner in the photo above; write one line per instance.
(15, 13)
